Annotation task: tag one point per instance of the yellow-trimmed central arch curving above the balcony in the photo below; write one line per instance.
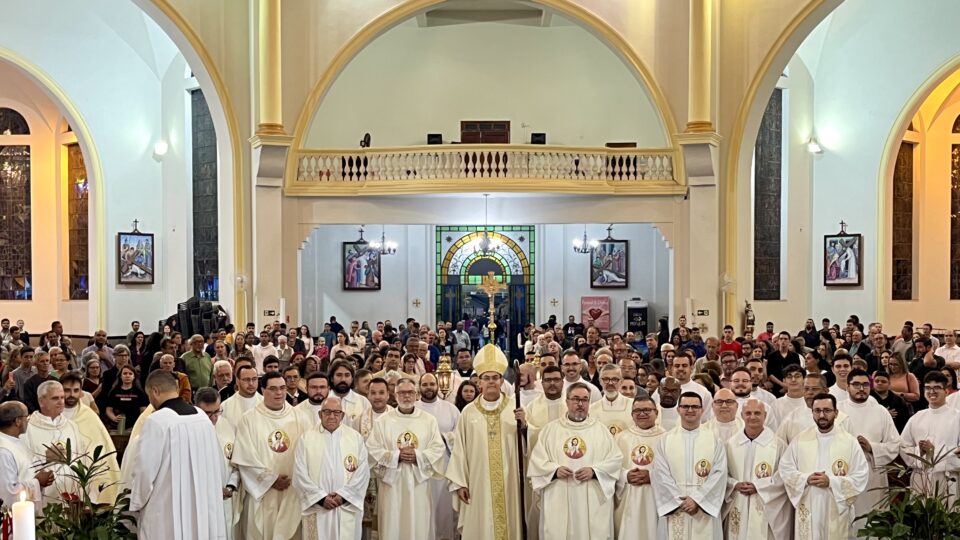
(411, 8)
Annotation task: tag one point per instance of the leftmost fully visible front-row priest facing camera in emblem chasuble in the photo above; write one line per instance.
(263, 453)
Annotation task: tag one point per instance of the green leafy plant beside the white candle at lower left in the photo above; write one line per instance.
(75, 516)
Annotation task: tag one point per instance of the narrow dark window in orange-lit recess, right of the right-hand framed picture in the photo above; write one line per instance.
(902, 224)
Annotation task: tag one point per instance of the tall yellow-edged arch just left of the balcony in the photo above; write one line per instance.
(225, 121)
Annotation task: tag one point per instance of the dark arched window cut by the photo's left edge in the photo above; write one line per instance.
(15, 255)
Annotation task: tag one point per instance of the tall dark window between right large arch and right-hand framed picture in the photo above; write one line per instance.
(767, 172)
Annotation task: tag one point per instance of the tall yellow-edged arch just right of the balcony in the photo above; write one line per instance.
(744, 132)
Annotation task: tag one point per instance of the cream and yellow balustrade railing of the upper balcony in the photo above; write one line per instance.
(457, 167)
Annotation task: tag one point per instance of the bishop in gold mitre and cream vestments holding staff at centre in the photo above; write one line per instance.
(483, 470)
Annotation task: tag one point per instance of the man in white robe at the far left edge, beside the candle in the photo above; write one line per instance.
(17, 473)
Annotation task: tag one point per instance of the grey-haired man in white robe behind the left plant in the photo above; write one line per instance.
(49, 429)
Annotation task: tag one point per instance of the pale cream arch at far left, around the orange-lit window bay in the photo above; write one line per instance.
(94, 165)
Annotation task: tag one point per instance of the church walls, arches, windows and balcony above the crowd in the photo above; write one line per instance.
(625, 163)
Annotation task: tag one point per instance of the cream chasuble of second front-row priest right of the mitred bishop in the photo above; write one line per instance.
(635, 517)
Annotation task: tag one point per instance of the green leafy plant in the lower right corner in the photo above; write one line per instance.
(909, 513)
